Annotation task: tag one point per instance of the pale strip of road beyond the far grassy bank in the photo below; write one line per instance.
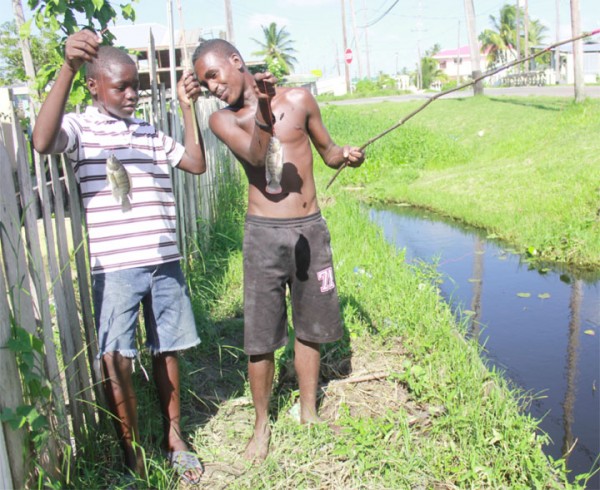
(592, 91)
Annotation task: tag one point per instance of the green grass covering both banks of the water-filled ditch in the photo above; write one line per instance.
(429, 414)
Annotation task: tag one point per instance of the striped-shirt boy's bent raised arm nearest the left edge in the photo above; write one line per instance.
(47, 135)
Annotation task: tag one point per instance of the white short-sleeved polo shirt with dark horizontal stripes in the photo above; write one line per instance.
(145, 235)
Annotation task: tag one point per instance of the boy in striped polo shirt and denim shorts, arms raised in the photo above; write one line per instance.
(133, 249)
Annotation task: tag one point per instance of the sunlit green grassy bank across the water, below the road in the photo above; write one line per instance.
(525, 169)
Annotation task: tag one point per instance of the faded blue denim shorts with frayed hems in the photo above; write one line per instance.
(168, 316)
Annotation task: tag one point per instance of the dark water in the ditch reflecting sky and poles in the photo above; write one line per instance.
(548, 343)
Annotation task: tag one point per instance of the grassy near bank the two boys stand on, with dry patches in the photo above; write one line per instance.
(413, 403)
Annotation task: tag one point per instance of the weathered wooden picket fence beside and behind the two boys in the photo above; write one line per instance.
(45, 303)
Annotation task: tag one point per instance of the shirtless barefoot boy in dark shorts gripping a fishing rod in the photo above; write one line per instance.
(286, 240)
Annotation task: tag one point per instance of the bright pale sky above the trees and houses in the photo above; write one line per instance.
(397, 30)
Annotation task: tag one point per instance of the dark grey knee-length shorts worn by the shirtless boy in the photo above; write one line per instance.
(294, 252)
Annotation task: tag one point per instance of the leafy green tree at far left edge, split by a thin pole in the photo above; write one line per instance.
(44, 50)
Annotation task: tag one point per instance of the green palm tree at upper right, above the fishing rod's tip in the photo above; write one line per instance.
(500, 42)
